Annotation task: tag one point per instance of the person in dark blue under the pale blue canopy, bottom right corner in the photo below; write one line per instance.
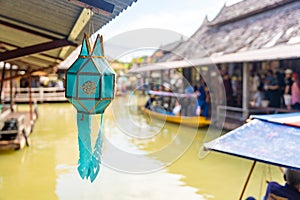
(291, 189)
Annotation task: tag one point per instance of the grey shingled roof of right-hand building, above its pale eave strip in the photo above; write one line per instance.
(246, 26)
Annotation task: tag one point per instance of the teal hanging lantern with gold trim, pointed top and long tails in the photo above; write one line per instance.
(90, 87)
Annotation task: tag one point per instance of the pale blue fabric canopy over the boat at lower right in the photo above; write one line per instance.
(272, 139)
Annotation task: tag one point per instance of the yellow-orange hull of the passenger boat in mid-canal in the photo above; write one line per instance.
(195, 121)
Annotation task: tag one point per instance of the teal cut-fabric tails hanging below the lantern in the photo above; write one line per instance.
(89, 162)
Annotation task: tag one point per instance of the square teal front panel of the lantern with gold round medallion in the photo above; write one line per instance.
(88, 86)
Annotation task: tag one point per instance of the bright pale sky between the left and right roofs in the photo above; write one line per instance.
(148, 24)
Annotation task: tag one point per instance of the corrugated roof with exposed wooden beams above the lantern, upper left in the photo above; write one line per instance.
(39, 34)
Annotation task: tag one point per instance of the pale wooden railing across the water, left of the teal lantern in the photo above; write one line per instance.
(47, 94)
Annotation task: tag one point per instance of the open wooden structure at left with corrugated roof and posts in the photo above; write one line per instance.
(35, 36)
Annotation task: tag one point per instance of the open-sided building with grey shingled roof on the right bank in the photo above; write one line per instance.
(245, 38)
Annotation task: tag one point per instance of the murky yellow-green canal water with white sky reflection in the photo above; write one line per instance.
(142, 159)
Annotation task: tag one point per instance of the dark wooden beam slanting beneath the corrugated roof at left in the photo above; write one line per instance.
(26, 51)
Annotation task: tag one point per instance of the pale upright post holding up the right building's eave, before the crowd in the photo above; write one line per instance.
(246, 74)
